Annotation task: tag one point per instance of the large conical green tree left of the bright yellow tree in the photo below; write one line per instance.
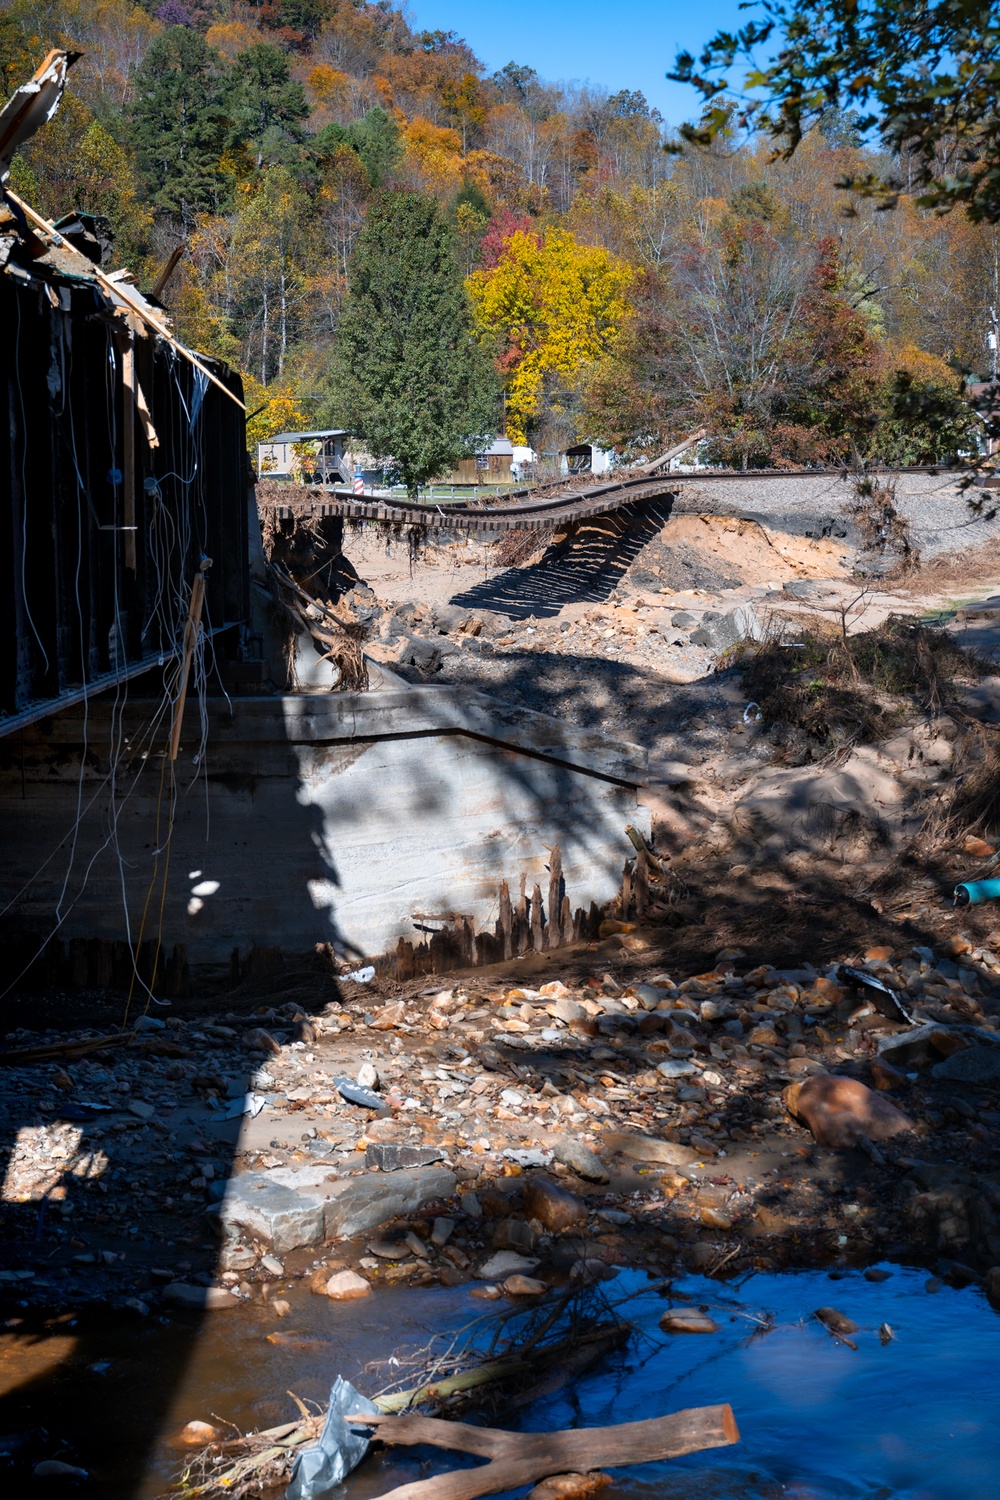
(409, 377)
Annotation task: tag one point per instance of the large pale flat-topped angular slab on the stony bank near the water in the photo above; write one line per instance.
(290, 1208)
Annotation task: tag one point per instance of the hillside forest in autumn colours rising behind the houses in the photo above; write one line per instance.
(627, 292)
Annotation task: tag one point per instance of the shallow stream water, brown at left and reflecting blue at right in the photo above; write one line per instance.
(909, 1420)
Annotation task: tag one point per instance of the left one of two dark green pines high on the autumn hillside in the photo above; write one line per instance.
(179, 125)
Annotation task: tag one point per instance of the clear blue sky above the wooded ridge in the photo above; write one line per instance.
(626, 46)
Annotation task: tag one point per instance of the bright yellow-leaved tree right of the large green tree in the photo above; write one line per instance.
(552, 307)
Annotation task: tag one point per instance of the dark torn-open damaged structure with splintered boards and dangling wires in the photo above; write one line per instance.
(122, 463)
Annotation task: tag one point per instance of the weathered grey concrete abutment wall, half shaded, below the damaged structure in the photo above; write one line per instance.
(314, 818)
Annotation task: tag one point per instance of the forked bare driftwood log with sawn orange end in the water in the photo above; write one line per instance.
(522, 1459)
